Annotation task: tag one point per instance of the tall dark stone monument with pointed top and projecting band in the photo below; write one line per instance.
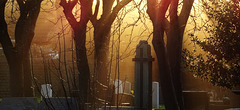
(143, 77)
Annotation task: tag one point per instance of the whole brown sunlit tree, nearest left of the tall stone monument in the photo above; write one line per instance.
(102, 30)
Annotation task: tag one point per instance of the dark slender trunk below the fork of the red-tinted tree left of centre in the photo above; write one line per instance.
(82, 64)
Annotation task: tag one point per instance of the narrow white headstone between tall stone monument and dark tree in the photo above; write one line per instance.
(155, 95)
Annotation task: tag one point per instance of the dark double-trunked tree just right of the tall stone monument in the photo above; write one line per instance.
(169, 54)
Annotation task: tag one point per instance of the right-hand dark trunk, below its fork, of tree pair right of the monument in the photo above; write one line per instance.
(174, 49)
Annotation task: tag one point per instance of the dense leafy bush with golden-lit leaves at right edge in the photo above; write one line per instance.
(221, 64)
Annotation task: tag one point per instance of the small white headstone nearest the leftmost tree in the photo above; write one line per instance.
(46, 90)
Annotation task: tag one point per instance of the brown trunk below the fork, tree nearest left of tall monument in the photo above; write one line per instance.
(102, 39)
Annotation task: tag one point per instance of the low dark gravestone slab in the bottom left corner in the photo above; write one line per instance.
(18, 103)
